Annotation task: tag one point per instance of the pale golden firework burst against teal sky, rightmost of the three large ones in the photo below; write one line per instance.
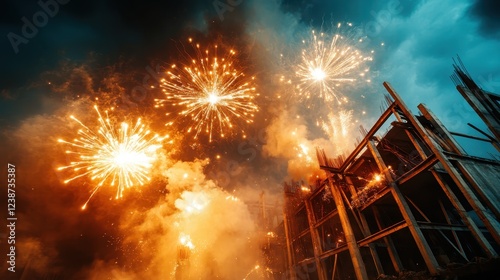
(327, 62)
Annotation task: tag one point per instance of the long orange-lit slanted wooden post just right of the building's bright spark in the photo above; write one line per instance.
(418, 236)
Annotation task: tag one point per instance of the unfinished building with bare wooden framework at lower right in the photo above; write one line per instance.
(411, 202)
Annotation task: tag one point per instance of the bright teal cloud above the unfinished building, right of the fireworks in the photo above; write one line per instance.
(417, 59)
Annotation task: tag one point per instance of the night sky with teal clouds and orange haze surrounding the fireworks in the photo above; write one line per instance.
(109, 49)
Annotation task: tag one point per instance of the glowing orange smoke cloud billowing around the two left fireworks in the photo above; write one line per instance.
(197, 217)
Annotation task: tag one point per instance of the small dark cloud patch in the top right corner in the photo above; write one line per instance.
(487, 11)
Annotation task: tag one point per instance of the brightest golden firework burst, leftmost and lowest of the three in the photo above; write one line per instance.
(121, 157)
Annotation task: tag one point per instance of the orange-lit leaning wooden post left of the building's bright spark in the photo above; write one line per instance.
(357, 260)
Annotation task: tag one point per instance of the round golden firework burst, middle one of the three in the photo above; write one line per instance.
(211, 92)
